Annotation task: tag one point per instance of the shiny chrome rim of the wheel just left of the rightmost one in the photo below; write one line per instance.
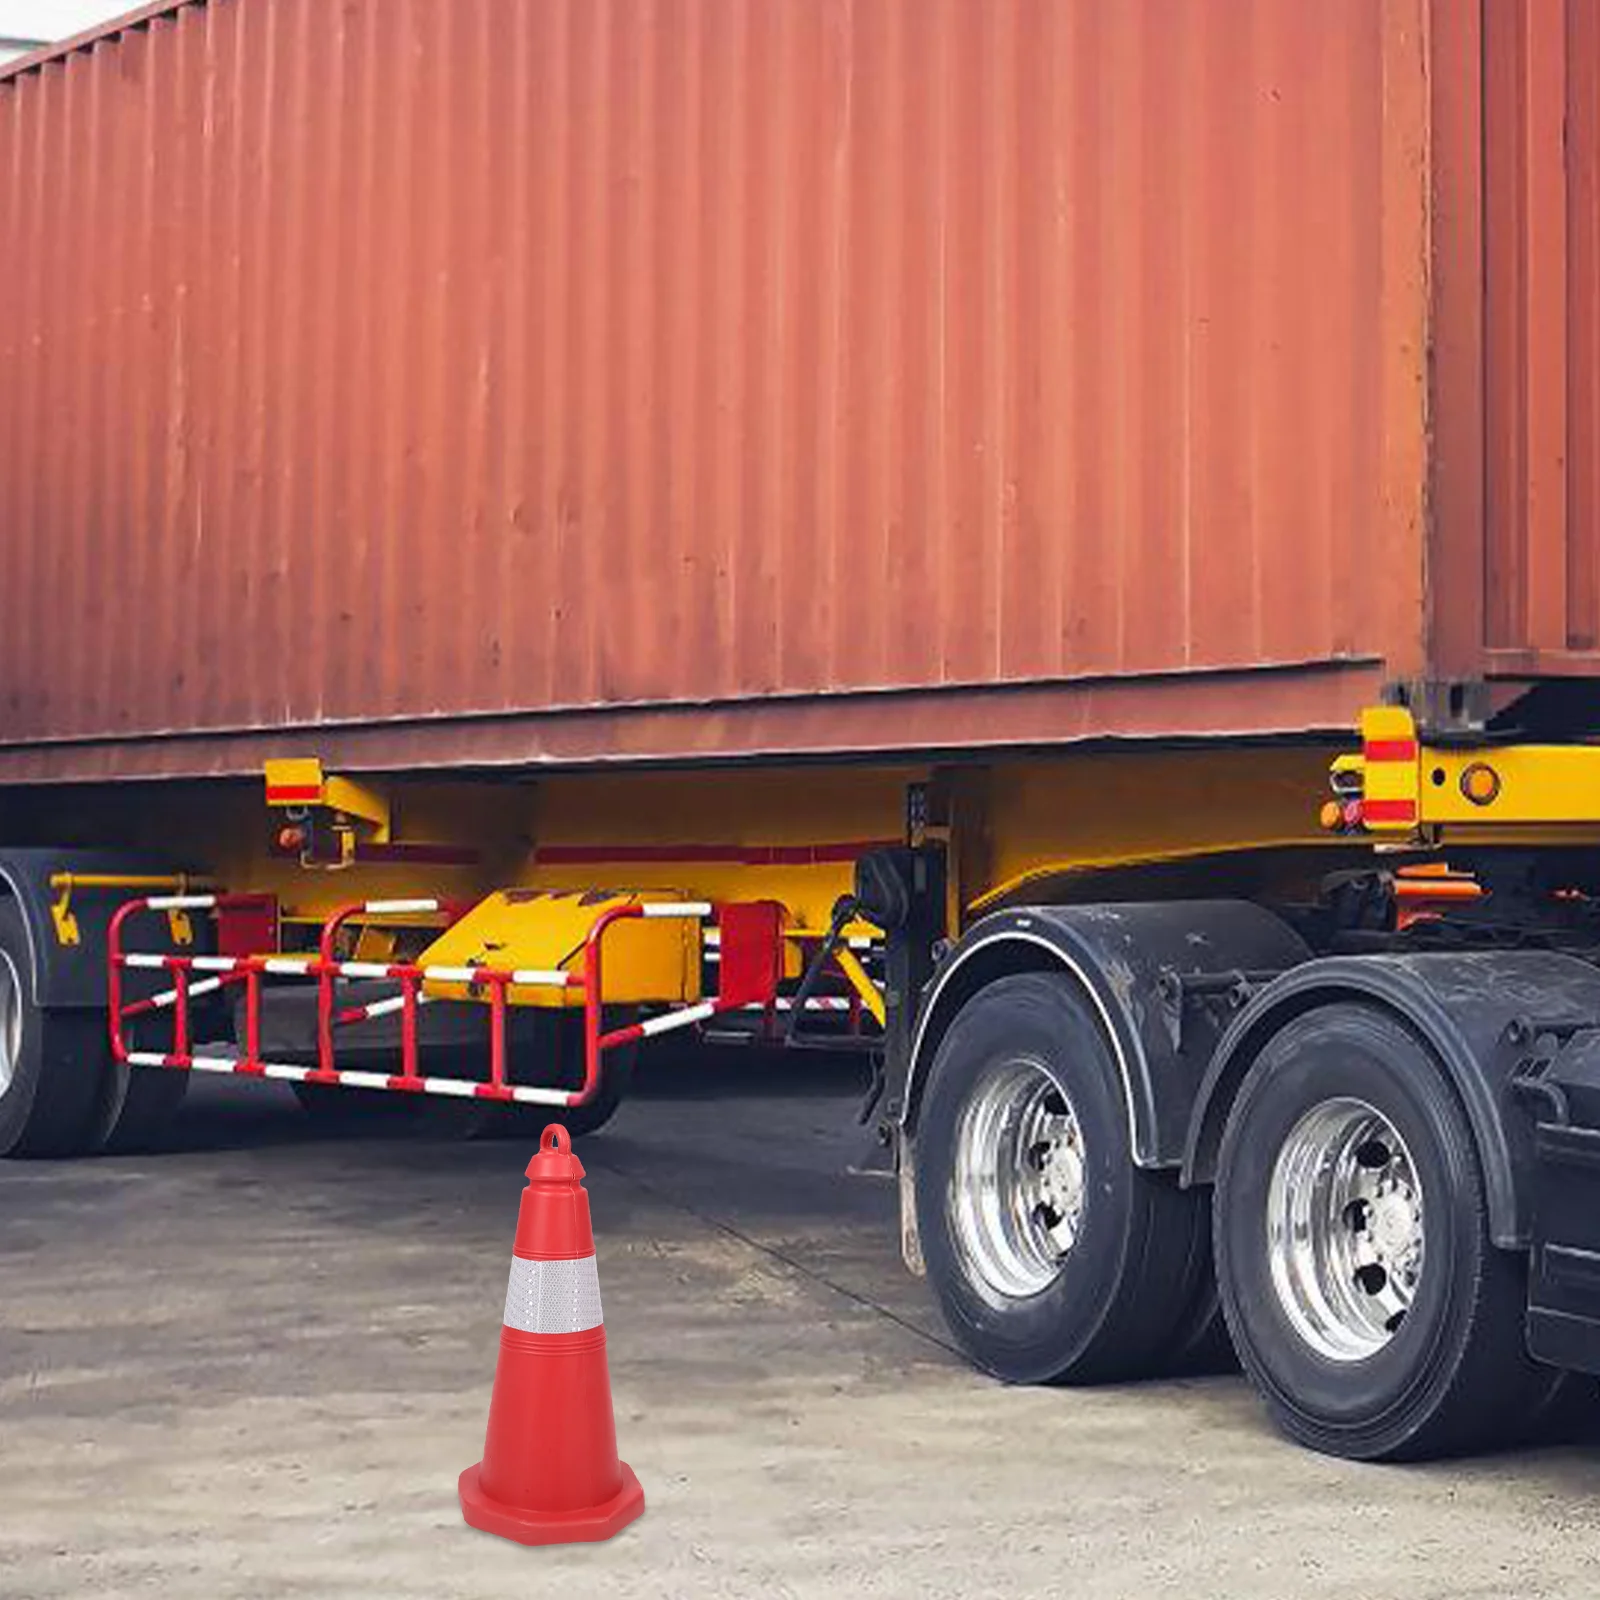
(1018, 1182)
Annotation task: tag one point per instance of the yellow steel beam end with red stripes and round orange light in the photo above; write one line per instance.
(1406, 791)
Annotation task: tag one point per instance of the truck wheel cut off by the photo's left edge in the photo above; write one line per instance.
(50, 1062)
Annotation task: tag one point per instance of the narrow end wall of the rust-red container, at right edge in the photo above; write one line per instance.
(1518, 239)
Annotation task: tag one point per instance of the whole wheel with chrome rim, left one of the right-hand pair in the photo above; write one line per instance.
(1054, 1258)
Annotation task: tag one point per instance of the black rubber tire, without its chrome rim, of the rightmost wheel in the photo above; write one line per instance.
(1457, 1377)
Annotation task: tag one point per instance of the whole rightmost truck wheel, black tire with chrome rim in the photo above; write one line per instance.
(1353, 1254)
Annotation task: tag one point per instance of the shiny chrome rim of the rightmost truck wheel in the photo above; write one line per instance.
(1345, 1230)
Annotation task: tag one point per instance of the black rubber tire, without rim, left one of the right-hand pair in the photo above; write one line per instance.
(1119, 1303)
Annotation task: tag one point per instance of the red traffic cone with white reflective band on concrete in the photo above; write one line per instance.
(550, 1471)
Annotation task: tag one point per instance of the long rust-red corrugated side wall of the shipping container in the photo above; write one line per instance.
(484, 382)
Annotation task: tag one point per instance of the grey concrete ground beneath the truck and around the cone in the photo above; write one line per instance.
(255, 1366)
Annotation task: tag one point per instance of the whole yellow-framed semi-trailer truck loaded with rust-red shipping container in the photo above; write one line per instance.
(1049, 543)
